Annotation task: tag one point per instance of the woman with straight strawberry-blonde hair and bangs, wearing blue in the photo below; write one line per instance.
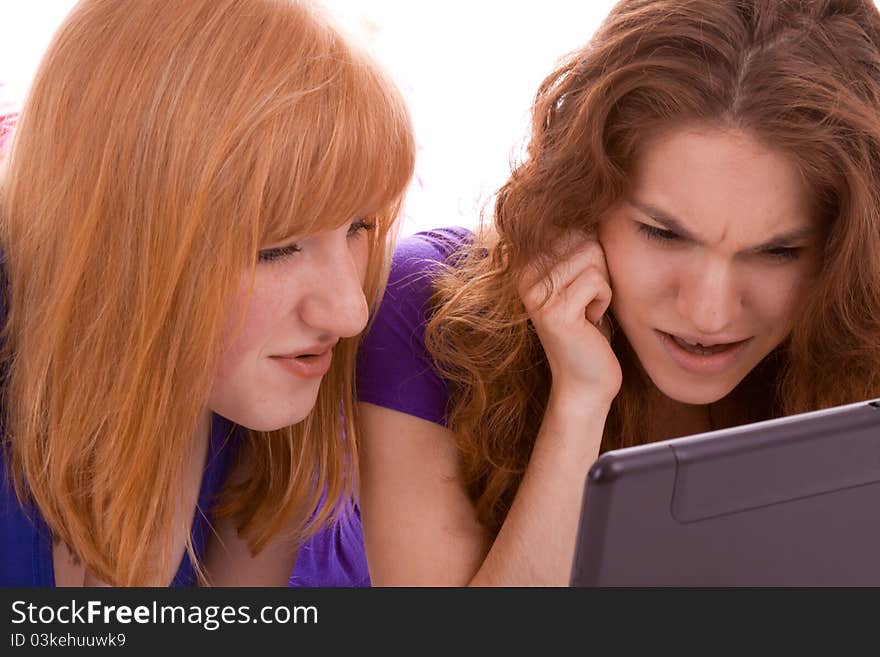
(196, 208)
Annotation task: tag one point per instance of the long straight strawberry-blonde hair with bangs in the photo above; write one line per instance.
(161, 144)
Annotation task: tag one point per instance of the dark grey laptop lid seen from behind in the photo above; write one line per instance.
(793, 501)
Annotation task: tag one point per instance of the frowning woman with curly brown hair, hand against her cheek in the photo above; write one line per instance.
(691, 242)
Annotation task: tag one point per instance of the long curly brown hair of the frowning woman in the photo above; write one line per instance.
(803, 77)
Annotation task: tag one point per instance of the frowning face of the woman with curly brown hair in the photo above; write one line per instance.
(708, 256)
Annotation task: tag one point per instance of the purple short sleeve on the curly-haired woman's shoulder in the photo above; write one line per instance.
(394, 367)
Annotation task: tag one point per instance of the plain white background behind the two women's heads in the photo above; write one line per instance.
(469, 70)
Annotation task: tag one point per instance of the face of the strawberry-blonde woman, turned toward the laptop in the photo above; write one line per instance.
(306, 296)
